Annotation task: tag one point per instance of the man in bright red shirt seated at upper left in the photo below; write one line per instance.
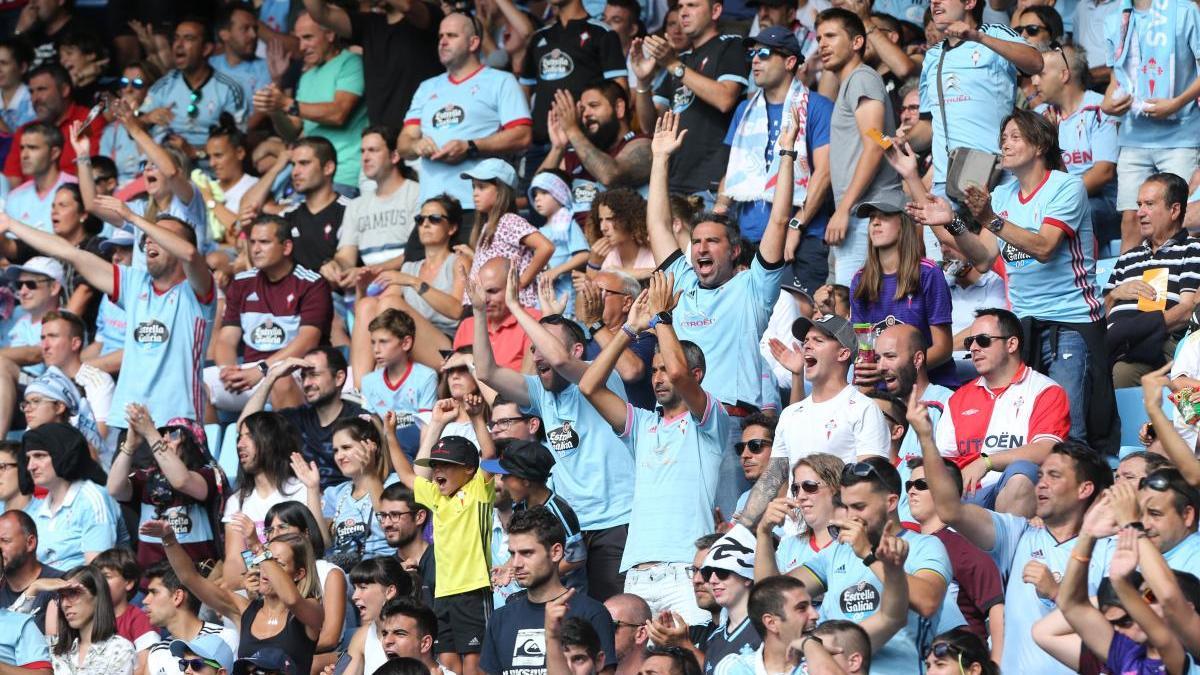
(50, 89)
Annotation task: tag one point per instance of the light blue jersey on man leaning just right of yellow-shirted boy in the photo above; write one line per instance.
(592, 464)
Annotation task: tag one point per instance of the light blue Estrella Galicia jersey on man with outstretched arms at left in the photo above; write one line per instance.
(166, 337)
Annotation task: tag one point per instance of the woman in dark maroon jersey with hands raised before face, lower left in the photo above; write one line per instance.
(183, 485)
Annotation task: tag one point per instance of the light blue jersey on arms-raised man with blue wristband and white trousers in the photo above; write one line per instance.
(675, 486)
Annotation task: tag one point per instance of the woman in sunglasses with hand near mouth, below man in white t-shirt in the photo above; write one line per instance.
(802, 518)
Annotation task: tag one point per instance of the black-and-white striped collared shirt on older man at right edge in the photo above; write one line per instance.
(1178, 259)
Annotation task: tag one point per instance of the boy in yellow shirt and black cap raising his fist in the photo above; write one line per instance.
(449, 481)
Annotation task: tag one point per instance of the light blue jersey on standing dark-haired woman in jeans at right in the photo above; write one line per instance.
(1064, 289)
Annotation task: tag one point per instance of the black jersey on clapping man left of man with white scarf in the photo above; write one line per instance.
(703, 160)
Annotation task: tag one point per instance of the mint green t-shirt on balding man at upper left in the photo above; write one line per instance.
(344, 73)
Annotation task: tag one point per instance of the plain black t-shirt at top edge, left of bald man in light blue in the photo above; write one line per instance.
(397, 58)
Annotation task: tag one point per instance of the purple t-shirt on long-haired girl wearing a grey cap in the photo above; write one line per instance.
(932, 307)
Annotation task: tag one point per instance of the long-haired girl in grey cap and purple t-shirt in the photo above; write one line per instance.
(899, 284)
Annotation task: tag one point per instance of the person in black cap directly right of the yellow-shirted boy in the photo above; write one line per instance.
(525, 470)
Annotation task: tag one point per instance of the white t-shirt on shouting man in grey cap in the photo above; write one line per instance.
(848, 426)
